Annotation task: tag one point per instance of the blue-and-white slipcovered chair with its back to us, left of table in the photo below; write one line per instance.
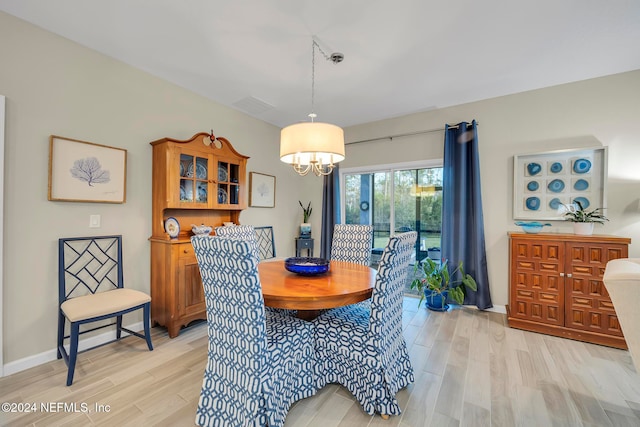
(259, 363)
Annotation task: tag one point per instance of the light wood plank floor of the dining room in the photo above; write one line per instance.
(471, 370)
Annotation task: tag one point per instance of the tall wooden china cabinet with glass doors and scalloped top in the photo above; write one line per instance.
(196, 181)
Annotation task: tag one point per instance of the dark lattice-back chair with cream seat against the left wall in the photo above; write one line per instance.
(91, 289)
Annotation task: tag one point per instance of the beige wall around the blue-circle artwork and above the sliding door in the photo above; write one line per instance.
(592, 113)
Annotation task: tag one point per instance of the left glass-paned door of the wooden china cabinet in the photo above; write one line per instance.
(194, 175)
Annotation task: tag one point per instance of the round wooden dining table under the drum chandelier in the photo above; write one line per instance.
(345, 283)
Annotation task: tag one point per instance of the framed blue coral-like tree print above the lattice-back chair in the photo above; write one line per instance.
(81, 171)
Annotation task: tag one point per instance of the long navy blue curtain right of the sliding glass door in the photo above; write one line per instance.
(462, 219)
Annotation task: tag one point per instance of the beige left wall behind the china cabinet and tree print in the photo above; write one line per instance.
(54, 86)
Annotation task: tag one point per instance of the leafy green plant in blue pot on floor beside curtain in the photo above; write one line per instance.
(435, 283)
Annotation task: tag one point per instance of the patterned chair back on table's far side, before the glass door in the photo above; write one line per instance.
(352, 243)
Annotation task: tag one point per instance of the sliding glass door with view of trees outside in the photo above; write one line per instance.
(395, 201)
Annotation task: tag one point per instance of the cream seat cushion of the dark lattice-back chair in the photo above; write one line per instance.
(99, 304)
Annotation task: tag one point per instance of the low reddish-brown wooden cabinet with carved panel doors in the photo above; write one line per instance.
(556, 287)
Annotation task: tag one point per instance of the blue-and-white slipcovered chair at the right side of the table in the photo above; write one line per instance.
(361, 346)
